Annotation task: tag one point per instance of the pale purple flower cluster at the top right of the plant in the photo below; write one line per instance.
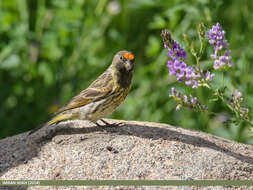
(216, 36)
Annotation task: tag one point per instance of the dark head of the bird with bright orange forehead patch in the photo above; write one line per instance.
(124, 61)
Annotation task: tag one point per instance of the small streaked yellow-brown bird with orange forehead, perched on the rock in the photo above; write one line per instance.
(103, 96)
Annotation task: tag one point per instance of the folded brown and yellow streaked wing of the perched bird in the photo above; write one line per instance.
(99, 89)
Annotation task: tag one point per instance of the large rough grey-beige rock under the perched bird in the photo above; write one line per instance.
(133, 150)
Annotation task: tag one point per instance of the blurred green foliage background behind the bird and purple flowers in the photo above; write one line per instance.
(52, 49)
